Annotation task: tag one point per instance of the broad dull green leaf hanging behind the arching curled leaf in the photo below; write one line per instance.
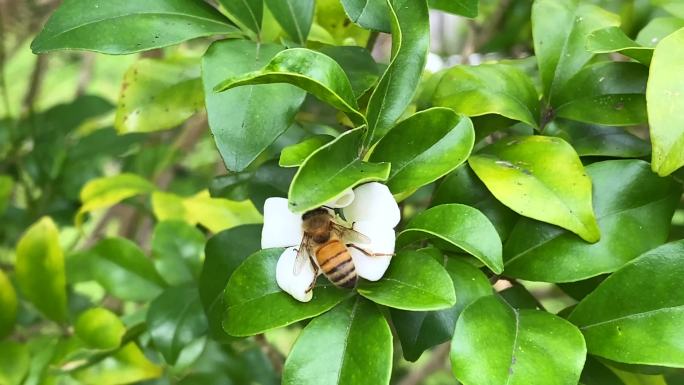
(245, 120)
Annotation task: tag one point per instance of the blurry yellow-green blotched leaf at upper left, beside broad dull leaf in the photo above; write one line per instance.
(158, 94)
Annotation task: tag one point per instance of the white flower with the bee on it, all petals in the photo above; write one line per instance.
(370, 209)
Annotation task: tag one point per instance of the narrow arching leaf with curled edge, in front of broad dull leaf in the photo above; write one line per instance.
(310, 70)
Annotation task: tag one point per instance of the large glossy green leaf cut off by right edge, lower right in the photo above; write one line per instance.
(636, 315)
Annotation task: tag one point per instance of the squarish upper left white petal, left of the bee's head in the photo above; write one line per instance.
(282, 228)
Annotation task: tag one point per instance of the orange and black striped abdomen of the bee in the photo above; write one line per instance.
(336, 263)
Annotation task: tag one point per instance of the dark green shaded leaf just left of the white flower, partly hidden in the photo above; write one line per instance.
(224, 251)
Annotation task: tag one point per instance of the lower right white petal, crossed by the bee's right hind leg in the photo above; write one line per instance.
(382, 239)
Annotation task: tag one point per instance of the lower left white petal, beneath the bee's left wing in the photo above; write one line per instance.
(295, 285)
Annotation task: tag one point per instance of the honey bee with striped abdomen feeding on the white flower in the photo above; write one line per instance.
(323, 246)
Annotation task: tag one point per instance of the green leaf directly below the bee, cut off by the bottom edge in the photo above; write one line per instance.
(351, 344)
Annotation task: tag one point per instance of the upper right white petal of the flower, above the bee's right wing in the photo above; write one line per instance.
(373, 202)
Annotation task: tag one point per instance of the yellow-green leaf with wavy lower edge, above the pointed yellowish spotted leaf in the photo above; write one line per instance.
(488, 89)
